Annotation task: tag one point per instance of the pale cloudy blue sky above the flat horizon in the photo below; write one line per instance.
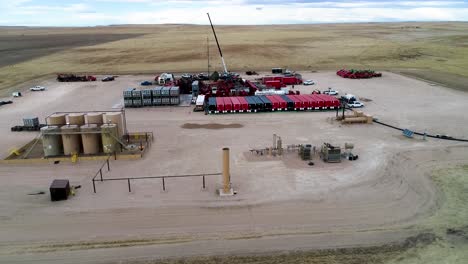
(234, 12)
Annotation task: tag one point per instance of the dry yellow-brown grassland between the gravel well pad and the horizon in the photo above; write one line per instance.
(432, 51)
